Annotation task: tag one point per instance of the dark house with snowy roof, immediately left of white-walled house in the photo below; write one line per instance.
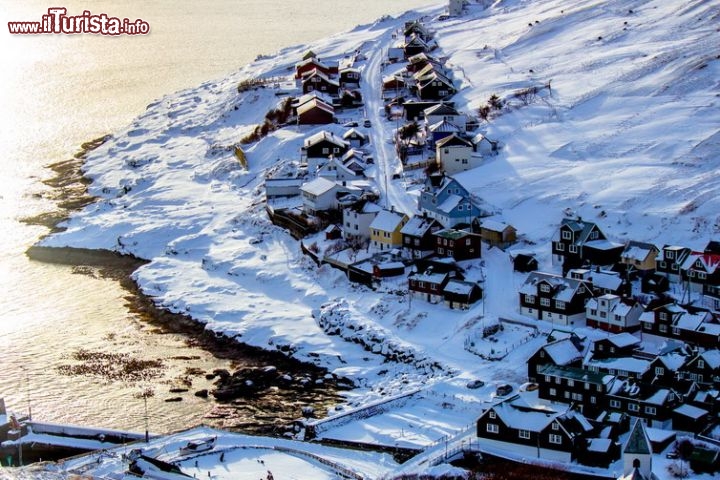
(555, 299)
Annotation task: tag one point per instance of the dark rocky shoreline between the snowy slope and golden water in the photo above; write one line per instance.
(263, 414)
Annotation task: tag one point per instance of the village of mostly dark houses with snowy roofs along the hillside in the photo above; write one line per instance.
(335, 199)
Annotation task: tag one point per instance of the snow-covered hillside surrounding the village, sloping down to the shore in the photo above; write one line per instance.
(627, 135)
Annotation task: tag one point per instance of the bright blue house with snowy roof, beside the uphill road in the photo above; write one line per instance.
(448, 202)
